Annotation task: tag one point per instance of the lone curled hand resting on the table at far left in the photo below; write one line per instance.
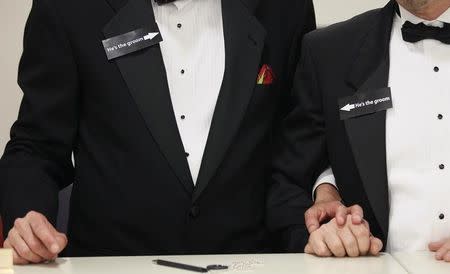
(34, 240)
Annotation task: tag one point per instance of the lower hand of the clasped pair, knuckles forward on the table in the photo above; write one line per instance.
(351, 240)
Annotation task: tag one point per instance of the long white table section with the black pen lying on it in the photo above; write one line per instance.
(255, 264)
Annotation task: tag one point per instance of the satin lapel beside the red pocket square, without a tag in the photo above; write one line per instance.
(244, 43)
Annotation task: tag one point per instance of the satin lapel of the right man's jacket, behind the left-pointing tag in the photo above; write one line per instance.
(367, 134)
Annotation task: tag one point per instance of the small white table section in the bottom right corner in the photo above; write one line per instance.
(422, 263)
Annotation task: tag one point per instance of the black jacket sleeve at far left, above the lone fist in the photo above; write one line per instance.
(37, 160)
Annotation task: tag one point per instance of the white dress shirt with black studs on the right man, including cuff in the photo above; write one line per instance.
(417, 139)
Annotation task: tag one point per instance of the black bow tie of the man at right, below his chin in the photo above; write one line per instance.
(414, 33)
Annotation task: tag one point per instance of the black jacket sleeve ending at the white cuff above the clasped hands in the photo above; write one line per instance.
(300, 157)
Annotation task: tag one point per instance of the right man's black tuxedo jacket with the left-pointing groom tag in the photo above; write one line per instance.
(339, 61)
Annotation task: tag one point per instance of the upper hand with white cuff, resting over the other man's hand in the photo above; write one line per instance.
(328, 206)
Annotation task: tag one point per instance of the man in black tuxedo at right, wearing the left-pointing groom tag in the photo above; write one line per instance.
(374, 93)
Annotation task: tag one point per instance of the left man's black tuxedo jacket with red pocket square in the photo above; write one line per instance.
(133, 192)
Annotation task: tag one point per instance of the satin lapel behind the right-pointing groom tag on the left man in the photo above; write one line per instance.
(145, 75)
